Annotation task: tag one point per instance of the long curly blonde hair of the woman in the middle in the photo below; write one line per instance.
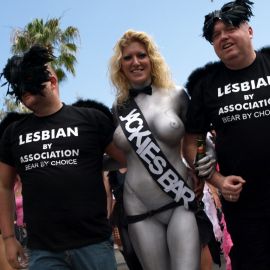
(160, 73)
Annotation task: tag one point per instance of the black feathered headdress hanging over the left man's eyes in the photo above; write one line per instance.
(27, 72)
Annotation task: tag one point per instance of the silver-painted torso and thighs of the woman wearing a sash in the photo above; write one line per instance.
(168, 240)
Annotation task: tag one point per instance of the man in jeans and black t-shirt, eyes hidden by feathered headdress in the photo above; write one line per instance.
(57, 150)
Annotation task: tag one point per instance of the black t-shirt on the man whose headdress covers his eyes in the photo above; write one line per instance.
(59, 159)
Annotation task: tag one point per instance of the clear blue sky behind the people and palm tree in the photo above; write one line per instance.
(175, 26)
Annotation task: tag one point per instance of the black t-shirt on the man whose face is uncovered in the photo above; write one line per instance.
(237, 103)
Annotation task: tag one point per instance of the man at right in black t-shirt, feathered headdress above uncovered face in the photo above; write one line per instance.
(233, 96)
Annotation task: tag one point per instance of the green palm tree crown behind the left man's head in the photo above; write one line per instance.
(49, 34)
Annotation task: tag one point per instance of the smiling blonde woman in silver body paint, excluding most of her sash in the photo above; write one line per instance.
(168, 239)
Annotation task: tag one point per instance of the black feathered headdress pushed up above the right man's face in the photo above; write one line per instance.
(232, 13)
